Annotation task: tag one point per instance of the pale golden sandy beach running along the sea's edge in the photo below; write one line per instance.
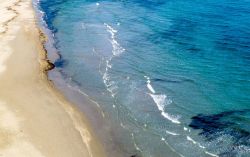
(35, 119)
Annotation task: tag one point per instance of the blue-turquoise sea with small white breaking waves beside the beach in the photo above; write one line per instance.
(172, 77)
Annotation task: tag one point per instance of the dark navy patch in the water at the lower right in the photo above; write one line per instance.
(233, 124)
